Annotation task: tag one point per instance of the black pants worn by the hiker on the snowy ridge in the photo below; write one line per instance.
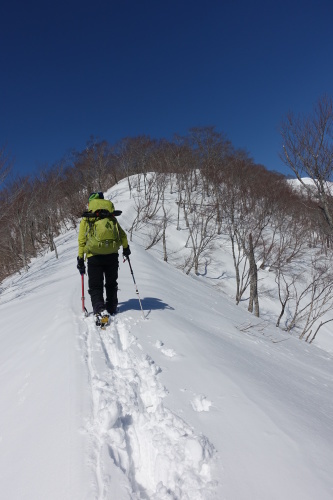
(102, 267)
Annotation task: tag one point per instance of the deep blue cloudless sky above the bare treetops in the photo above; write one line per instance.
(116, 68)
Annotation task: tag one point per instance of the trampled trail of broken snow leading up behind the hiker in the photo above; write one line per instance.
(135, 440)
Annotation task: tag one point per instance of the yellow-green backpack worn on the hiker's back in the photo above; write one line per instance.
(103, 234)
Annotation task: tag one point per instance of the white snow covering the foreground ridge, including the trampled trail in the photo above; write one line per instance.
(196, 401)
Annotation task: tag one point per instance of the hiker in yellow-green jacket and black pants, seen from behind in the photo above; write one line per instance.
(100, 237)
